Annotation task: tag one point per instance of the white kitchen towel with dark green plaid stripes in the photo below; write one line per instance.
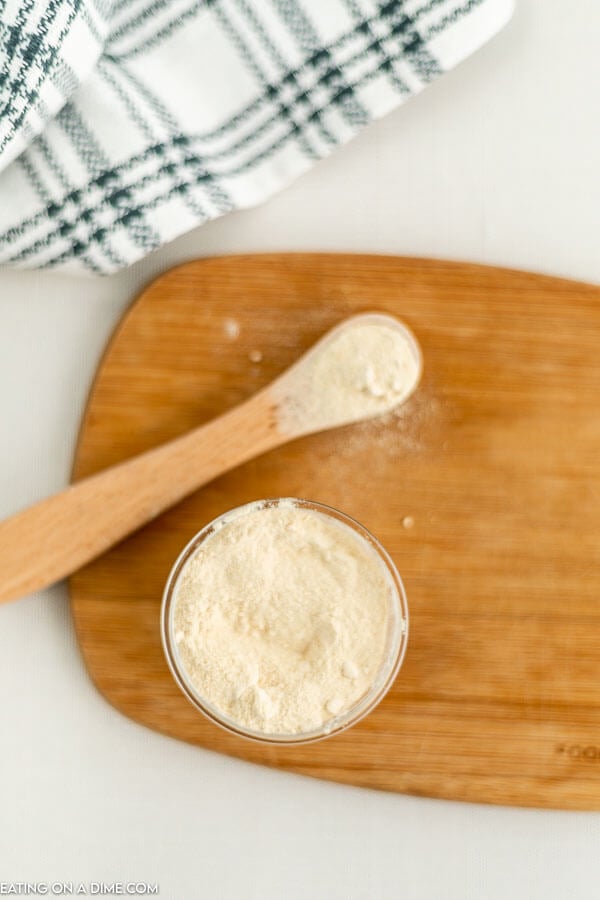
(124, 123)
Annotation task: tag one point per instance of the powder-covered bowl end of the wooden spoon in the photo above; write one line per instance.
(370, 365)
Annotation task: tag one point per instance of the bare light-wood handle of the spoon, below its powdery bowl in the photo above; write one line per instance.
(48, 541)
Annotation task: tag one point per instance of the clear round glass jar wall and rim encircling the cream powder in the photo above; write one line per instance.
(392, 658)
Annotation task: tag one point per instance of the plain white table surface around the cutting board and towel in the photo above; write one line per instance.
(497, 162)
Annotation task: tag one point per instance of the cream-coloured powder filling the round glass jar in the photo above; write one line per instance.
(282, 617)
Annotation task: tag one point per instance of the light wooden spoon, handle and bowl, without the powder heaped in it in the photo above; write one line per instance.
(53, 538)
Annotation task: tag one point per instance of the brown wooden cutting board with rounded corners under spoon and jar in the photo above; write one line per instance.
(486, 492)
